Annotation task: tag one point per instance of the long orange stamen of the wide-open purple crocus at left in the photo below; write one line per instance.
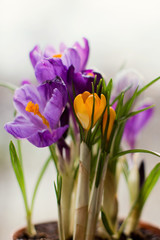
(31, 107)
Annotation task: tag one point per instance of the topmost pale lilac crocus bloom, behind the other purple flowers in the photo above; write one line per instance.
(76, 56)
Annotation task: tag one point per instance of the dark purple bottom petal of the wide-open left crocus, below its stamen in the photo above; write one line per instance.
(46, 138)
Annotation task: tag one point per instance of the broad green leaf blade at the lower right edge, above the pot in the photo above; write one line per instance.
(149, 184)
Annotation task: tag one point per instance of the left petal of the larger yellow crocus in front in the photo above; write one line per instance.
(81, 111)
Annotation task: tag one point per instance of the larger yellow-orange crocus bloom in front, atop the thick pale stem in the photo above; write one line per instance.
(83, 106)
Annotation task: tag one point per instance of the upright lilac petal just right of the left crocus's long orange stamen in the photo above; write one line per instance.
(53, 109)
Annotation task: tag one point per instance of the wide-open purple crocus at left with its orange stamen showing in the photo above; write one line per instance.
(39, 110)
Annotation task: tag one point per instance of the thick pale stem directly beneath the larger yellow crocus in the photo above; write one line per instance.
(81, 211)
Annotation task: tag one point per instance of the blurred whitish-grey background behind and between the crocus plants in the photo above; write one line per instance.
(121, 33)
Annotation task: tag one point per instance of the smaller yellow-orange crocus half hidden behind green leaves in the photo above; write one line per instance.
(112, 117)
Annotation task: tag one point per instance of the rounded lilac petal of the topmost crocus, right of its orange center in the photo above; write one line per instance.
(71, 57)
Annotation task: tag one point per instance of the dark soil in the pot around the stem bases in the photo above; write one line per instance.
(48, 231)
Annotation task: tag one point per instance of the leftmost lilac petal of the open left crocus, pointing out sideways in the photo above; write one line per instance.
(21, 128)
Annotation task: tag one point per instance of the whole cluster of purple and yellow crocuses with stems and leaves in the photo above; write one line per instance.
(84, 120)
